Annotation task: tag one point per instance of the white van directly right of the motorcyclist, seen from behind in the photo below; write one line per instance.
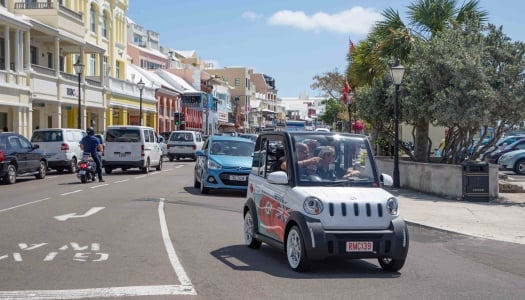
(129, 146)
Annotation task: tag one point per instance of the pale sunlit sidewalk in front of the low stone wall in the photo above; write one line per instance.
(502, 219)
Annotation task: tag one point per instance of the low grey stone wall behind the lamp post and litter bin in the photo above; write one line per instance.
(434, 178)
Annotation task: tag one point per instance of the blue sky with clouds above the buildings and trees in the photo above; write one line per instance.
(291, 40)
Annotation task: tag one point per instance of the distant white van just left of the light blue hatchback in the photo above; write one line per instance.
(184, 144)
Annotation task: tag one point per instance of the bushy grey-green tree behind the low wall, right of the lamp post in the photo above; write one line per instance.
(476, 77)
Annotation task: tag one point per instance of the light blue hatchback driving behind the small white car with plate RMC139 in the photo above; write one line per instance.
(223, 163)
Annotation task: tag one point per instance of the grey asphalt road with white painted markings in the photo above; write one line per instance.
(153, 236)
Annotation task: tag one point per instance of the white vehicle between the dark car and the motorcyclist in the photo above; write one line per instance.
(62, 146)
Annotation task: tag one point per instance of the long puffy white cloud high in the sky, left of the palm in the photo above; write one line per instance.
(357, 20)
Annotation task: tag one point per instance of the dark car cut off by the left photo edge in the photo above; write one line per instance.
(19, 157)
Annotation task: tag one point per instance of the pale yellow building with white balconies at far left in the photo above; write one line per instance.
(42, 40)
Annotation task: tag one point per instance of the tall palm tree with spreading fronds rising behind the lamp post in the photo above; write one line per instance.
(392, 39)
